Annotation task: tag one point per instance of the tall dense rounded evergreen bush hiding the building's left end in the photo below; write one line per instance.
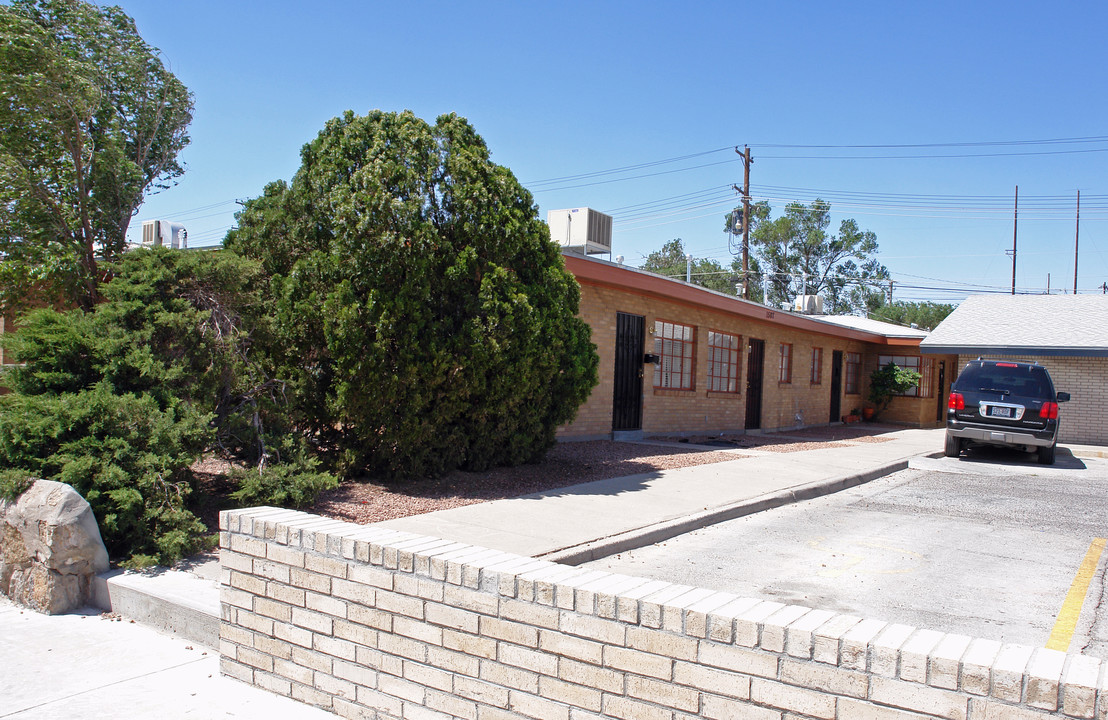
(425, 317)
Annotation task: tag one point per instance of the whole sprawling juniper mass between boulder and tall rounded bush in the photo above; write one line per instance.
(121, 402)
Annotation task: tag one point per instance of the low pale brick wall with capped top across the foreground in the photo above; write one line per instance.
(371, 623)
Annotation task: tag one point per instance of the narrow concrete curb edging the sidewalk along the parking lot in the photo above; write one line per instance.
(659, 532)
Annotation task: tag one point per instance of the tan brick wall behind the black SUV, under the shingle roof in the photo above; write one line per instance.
(1086, 380)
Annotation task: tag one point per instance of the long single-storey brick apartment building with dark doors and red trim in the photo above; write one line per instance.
(680, 359)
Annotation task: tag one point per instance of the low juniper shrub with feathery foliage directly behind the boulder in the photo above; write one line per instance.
(125, 454)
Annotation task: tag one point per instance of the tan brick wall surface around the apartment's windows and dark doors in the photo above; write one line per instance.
(785, 406)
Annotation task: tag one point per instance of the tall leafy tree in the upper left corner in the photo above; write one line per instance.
(90, 121)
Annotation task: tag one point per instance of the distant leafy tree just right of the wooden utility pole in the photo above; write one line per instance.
(801, 256)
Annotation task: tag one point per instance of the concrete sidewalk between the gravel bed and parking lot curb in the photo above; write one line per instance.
(594, 520)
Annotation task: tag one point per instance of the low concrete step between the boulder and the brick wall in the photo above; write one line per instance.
(181, 603)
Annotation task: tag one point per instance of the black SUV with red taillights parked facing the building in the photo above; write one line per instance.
(1013, 405)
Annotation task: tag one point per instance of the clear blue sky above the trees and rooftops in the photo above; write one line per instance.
(569, 89)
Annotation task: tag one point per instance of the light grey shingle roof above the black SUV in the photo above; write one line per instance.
(1045, 325)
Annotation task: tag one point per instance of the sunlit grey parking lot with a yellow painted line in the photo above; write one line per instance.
(990, 546)
